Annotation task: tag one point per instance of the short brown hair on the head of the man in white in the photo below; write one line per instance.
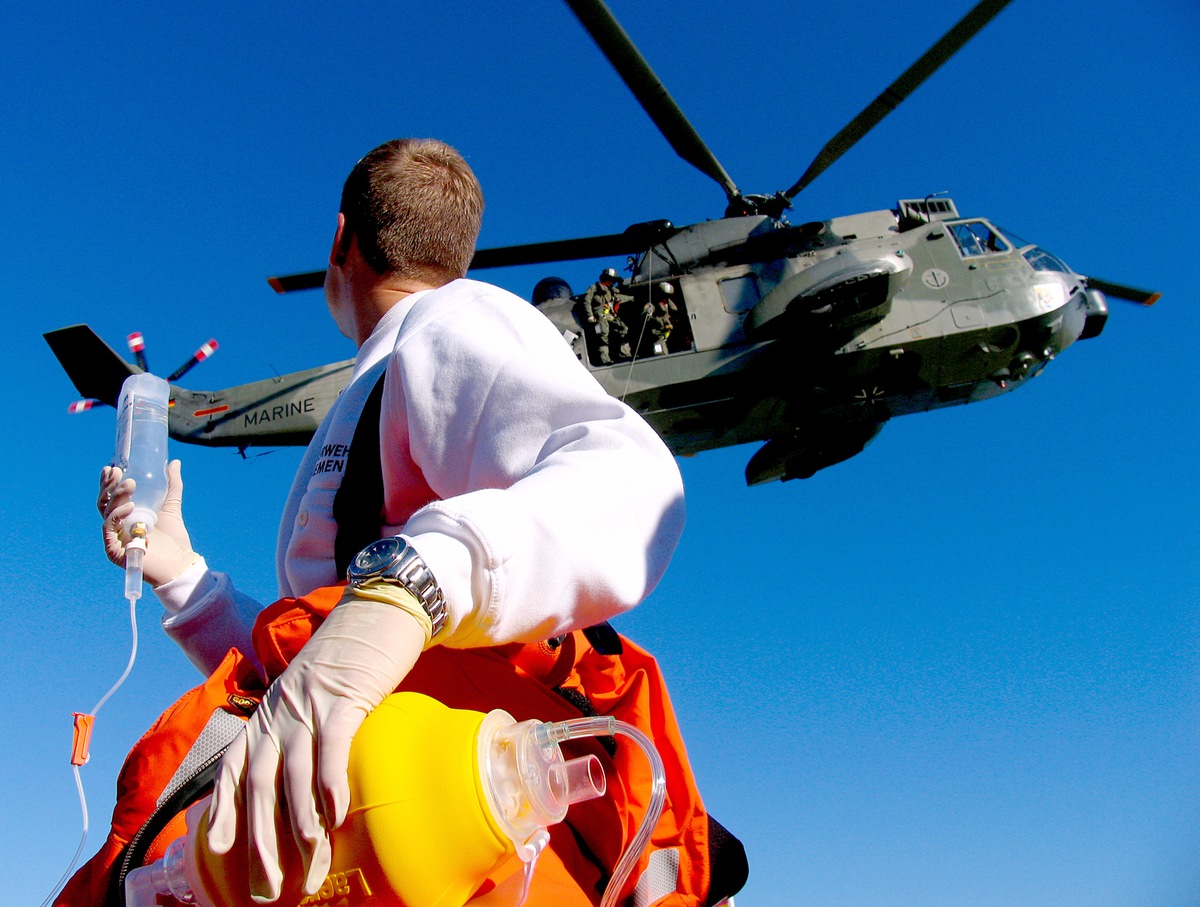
(416, 208)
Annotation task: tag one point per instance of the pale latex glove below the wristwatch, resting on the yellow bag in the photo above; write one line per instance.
(310, 714)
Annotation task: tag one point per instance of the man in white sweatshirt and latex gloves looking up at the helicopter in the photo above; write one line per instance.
(490, 433)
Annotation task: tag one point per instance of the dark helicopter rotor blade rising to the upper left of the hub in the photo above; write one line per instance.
(650, 92)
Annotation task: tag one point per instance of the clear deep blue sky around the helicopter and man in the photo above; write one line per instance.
(961, 669)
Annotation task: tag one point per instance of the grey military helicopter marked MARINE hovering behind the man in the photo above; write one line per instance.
(806, 339)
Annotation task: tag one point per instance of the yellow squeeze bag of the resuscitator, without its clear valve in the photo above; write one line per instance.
(418, 833)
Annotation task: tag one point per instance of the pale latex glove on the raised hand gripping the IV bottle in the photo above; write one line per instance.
(169, 546)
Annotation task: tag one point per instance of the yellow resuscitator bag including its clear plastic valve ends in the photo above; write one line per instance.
(441, 801)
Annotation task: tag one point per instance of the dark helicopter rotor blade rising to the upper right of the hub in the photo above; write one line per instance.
(909, 82)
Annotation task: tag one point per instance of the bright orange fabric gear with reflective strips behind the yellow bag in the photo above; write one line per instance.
(527, 681)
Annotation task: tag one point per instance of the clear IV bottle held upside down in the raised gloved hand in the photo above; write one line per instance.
(142, 456)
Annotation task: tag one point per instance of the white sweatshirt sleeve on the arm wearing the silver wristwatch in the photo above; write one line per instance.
(541, 503)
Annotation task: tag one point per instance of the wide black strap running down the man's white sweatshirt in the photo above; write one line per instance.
(358, 506)
